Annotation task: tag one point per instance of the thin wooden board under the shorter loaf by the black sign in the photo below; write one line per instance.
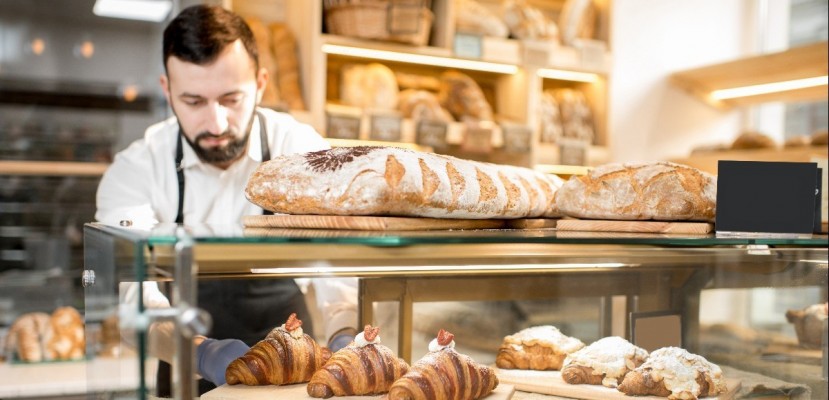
(634, 226)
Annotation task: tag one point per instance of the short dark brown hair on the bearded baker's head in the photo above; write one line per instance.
(199, 33)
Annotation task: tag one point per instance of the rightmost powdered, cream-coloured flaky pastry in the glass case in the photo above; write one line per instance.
(674, 373)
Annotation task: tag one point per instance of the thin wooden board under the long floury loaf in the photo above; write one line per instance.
(363, 223)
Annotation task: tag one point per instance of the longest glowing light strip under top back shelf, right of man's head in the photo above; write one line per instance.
(422, 59)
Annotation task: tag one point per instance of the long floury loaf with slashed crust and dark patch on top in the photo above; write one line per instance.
(393, 181)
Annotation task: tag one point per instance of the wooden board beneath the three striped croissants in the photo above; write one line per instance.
(298, 392)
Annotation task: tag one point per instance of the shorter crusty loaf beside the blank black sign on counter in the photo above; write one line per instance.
(660, 191)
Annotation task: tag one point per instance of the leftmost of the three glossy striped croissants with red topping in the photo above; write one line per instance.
(285, 356)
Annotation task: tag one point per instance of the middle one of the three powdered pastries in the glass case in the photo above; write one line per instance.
(604, 362)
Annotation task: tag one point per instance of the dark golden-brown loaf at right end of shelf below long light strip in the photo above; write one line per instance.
(462, 96)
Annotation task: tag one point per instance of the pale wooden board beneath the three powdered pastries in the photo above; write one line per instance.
(550, 382)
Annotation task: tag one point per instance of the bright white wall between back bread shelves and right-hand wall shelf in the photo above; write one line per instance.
(650, 119)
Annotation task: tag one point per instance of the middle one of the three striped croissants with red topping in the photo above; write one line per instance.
(363, 367)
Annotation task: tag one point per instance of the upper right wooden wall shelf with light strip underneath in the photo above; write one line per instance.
(797, 63)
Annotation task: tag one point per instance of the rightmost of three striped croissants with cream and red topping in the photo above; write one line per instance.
(444, 374)
